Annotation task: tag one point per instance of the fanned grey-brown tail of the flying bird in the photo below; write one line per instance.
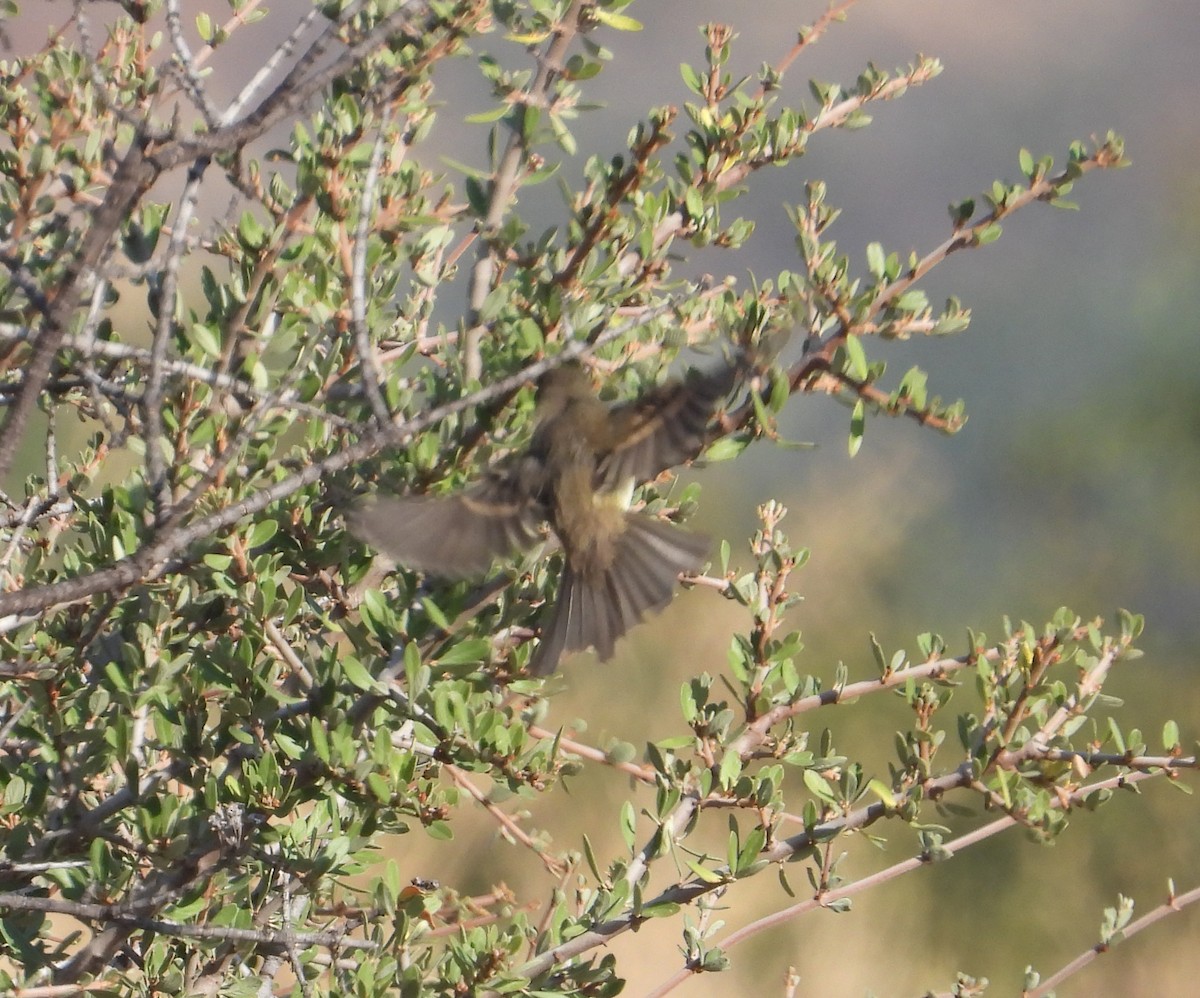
(595, 610)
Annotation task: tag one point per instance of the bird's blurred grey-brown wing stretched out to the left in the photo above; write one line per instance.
(458, 536)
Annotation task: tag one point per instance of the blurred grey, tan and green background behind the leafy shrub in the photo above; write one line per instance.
(1075, 483)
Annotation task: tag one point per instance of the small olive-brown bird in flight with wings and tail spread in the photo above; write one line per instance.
(578, 476)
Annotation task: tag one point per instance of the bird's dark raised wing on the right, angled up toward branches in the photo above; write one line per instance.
(664, 428)
